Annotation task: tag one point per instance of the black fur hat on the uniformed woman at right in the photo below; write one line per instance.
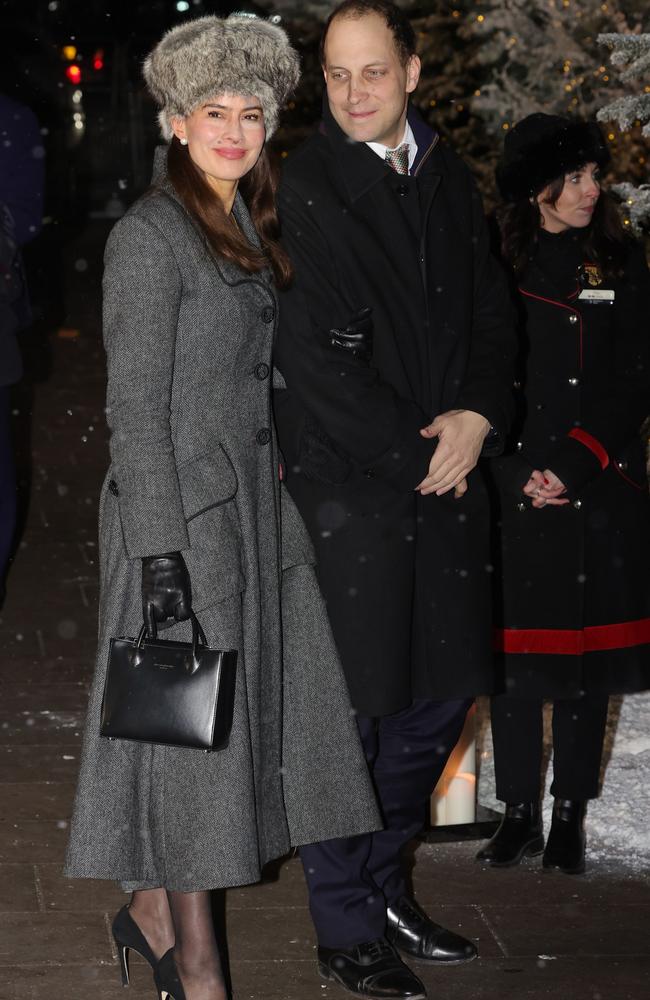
(541, 148)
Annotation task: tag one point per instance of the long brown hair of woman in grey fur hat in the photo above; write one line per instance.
(258, 188)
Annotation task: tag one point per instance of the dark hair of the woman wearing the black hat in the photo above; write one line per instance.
(604, 238)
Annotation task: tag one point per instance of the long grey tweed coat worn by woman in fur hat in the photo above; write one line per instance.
(194, 467)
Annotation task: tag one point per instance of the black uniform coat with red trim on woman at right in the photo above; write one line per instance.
(574, 608)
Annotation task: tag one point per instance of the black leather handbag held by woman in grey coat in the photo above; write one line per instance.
(176, 693)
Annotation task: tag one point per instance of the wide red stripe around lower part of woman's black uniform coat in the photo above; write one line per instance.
(573, 642)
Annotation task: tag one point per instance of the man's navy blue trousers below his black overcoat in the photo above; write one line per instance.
(352, 880)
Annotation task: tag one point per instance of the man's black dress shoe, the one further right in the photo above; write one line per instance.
(413, 932)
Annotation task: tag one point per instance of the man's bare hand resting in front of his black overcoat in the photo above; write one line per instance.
(460, 436)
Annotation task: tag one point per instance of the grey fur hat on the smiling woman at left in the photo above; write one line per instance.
(239, 54)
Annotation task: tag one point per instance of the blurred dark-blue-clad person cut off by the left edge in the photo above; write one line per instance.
(21, 214)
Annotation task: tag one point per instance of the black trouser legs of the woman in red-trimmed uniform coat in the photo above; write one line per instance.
(578, 734)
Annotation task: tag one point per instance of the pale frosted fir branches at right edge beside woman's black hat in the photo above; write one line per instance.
(631, 53)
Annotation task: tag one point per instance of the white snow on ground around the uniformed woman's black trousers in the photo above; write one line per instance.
(618, 823)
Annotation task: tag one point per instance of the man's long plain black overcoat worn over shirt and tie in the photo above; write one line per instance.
(405, 577)
